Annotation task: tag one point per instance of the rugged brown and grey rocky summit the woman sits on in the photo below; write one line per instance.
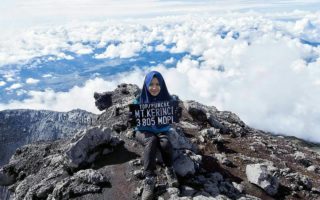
(216, 156)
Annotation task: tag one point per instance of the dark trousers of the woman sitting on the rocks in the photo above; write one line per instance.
(151, 143)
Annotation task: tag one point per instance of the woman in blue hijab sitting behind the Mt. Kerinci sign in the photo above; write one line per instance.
(156, 136)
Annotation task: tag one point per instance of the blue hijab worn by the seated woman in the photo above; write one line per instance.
(146, 97)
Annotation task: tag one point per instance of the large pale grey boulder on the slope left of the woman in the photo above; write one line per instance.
(84, 148)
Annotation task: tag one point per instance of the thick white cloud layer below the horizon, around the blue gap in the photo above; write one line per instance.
(263, 67)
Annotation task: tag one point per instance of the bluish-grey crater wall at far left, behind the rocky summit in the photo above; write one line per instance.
(20, 127)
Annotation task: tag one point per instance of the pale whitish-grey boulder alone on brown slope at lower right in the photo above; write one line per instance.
(260, 175)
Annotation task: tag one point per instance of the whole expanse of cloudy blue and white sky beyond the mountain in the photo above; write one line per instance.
(257, 59)
